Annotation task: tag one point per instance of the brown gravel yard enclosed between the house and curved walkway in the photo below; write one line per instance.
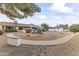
(44, 36)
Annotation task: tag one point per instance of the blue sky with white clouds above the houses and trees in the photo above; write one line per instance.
(52, 14)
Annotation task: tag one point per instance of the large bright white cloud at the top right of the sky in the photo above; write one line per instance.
(60, 7)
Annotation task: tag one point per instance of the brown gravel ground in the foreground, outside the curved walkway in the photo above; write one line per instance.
(71, 48)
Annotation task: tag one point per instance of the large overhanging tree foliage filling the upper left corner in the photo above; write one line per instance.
(18, 10)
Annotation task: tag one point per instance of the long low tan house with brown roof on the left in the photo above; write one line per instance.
(16, 26)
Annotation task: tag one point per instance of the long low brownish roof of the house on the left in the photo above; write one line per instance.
(16, 24)
